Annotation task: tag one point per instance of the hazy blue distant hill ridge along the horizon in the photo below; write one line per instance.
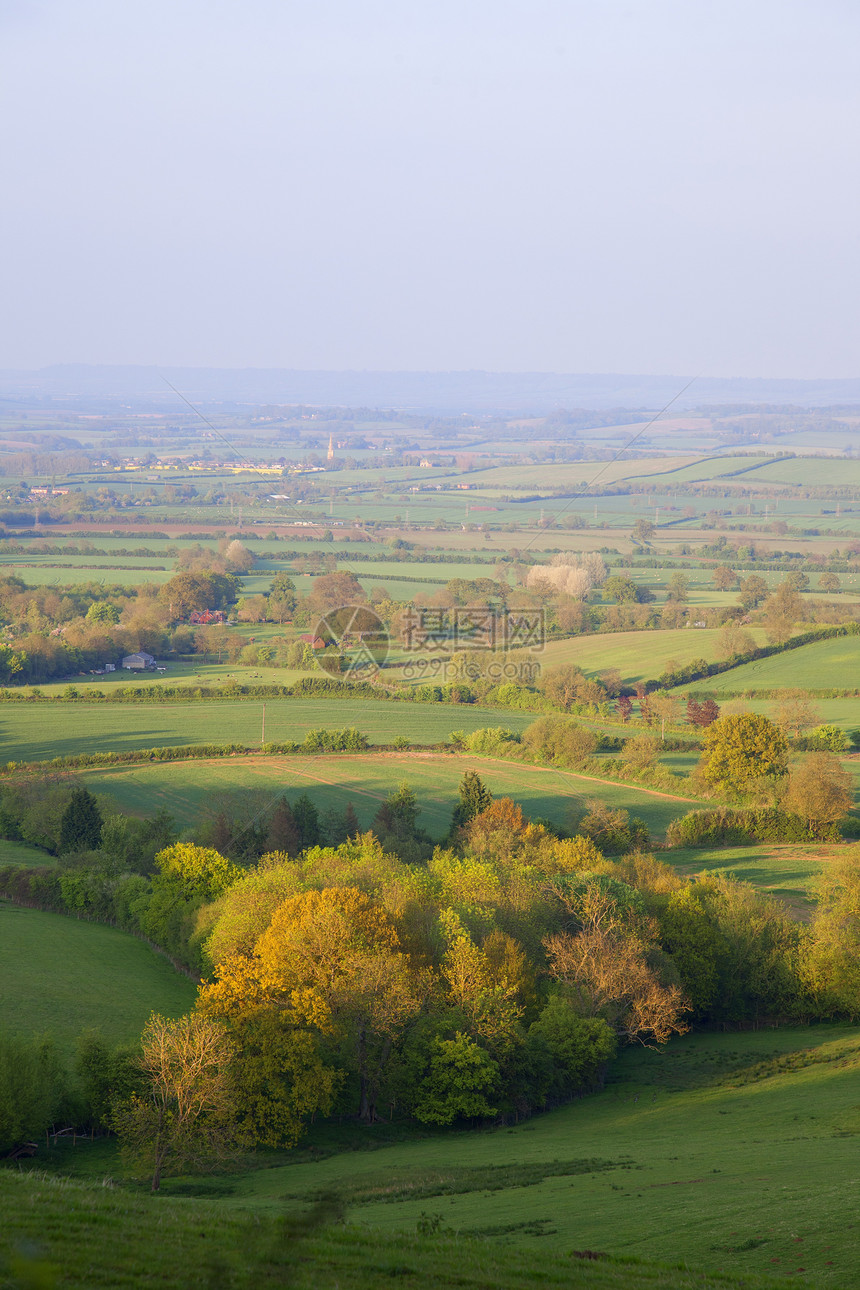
(434, 393)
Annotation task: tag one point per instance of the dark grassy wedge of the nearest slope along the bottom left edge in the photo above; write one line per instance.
(66, 1235)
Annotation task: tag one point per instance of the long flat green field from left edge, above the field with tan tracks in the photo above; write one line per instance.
(38, 732)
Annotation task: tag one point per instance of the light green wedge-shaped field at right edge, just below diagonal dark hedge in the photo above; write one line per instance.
(823, 665)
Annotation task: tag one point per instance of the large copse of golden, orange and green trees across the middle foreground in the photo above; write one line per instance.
(491, 977)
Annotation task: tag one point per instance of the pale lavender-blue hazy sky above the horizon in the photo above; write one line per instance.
(514, 185)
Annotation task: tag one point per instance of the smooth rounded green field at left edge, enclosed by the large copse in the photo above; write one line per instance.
(63, 976)
